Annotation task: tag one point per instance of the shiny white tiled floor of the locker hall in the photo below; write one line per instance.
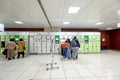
(99, 66)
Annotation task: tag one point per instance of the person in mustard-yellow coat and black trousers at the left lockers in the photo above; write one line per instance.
(21, 46)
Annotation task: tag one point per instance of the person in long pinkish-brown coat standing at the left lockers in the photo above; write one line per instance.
(10, 46)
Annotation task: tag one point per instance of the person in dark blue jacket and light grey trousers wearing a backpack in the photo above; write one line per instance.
(75, 47)
